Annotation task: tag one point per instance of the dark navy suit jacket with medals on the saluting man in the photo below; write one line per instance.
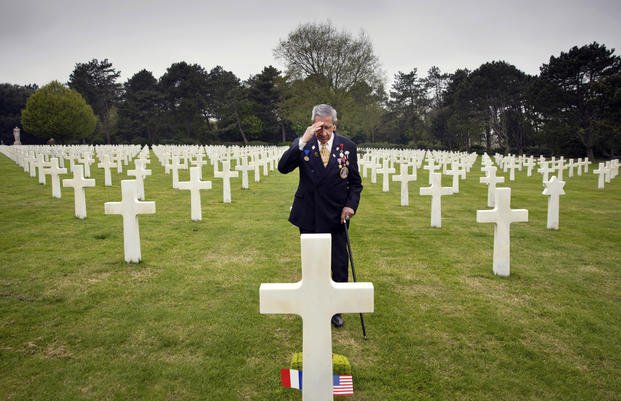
(323, 192)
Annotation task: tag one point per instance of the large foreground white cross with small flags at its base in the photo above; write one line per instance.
(316, 298)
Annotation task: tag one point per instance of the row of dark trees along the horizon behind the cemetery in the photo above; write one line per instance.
(573, 107)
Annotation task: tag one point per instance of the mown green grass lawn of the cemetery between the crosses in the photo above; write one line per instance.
(77, 322)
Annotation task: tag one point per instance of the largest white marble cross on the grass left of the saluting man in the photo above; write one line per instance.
(130, 207)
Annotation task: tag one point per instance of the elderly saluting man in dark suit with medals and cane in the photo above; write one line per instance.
(329, 188)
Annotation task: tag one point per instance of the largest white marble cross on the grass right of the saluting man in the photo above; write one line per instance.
(502, 216)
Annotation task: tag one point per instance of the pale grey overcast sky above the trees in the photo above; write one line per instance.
(42, 40)
